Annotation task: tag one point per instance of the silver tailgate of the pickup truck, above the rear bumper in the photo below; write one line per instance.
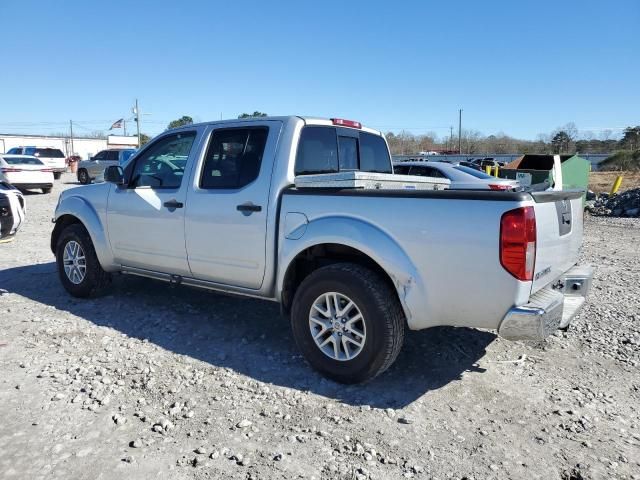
(559, 218)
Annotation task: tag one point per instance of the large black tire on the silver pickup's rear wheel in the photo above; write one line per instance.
(383, 322)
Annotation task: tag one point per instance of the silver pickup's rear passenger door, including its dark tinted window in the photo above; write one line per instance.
(226, 219)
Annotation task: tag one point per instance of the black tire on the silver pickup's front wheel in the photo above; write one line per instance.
(95, 279)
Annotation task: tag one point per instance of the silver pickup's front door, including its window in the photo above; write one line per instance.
(145, 219)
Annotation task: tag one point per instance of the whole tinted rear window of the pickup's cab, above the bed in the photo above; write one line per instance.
(333, 149)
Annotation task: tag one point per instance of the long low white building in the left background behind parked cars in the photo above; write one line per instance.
(82, 146)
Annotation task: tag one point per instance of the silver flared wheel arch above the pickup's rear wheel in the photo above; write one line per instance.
(368, 239)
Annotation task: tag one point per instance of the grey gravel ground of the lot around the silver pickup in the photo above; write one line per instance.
(156, 381)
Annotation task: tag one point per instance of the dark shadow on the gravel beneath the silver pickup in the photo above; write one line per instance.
(250, 336)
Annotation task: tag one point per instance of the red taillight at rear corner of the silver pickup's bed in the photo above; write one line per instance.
(518, 242)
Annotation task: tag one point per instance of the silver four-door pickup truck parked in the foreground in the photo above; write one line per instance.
(214, 205)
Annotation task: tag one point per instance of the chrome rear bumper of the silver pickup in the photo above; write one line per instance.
(551, 308)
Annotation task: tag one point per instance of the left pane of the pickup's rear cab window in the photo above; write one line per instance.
(317, 151)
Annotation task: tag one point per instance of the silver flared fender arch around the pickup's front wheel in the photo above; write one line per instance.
(81, 209)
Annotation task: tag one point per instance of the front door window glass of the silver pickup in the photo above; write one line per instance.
(161, 164)
